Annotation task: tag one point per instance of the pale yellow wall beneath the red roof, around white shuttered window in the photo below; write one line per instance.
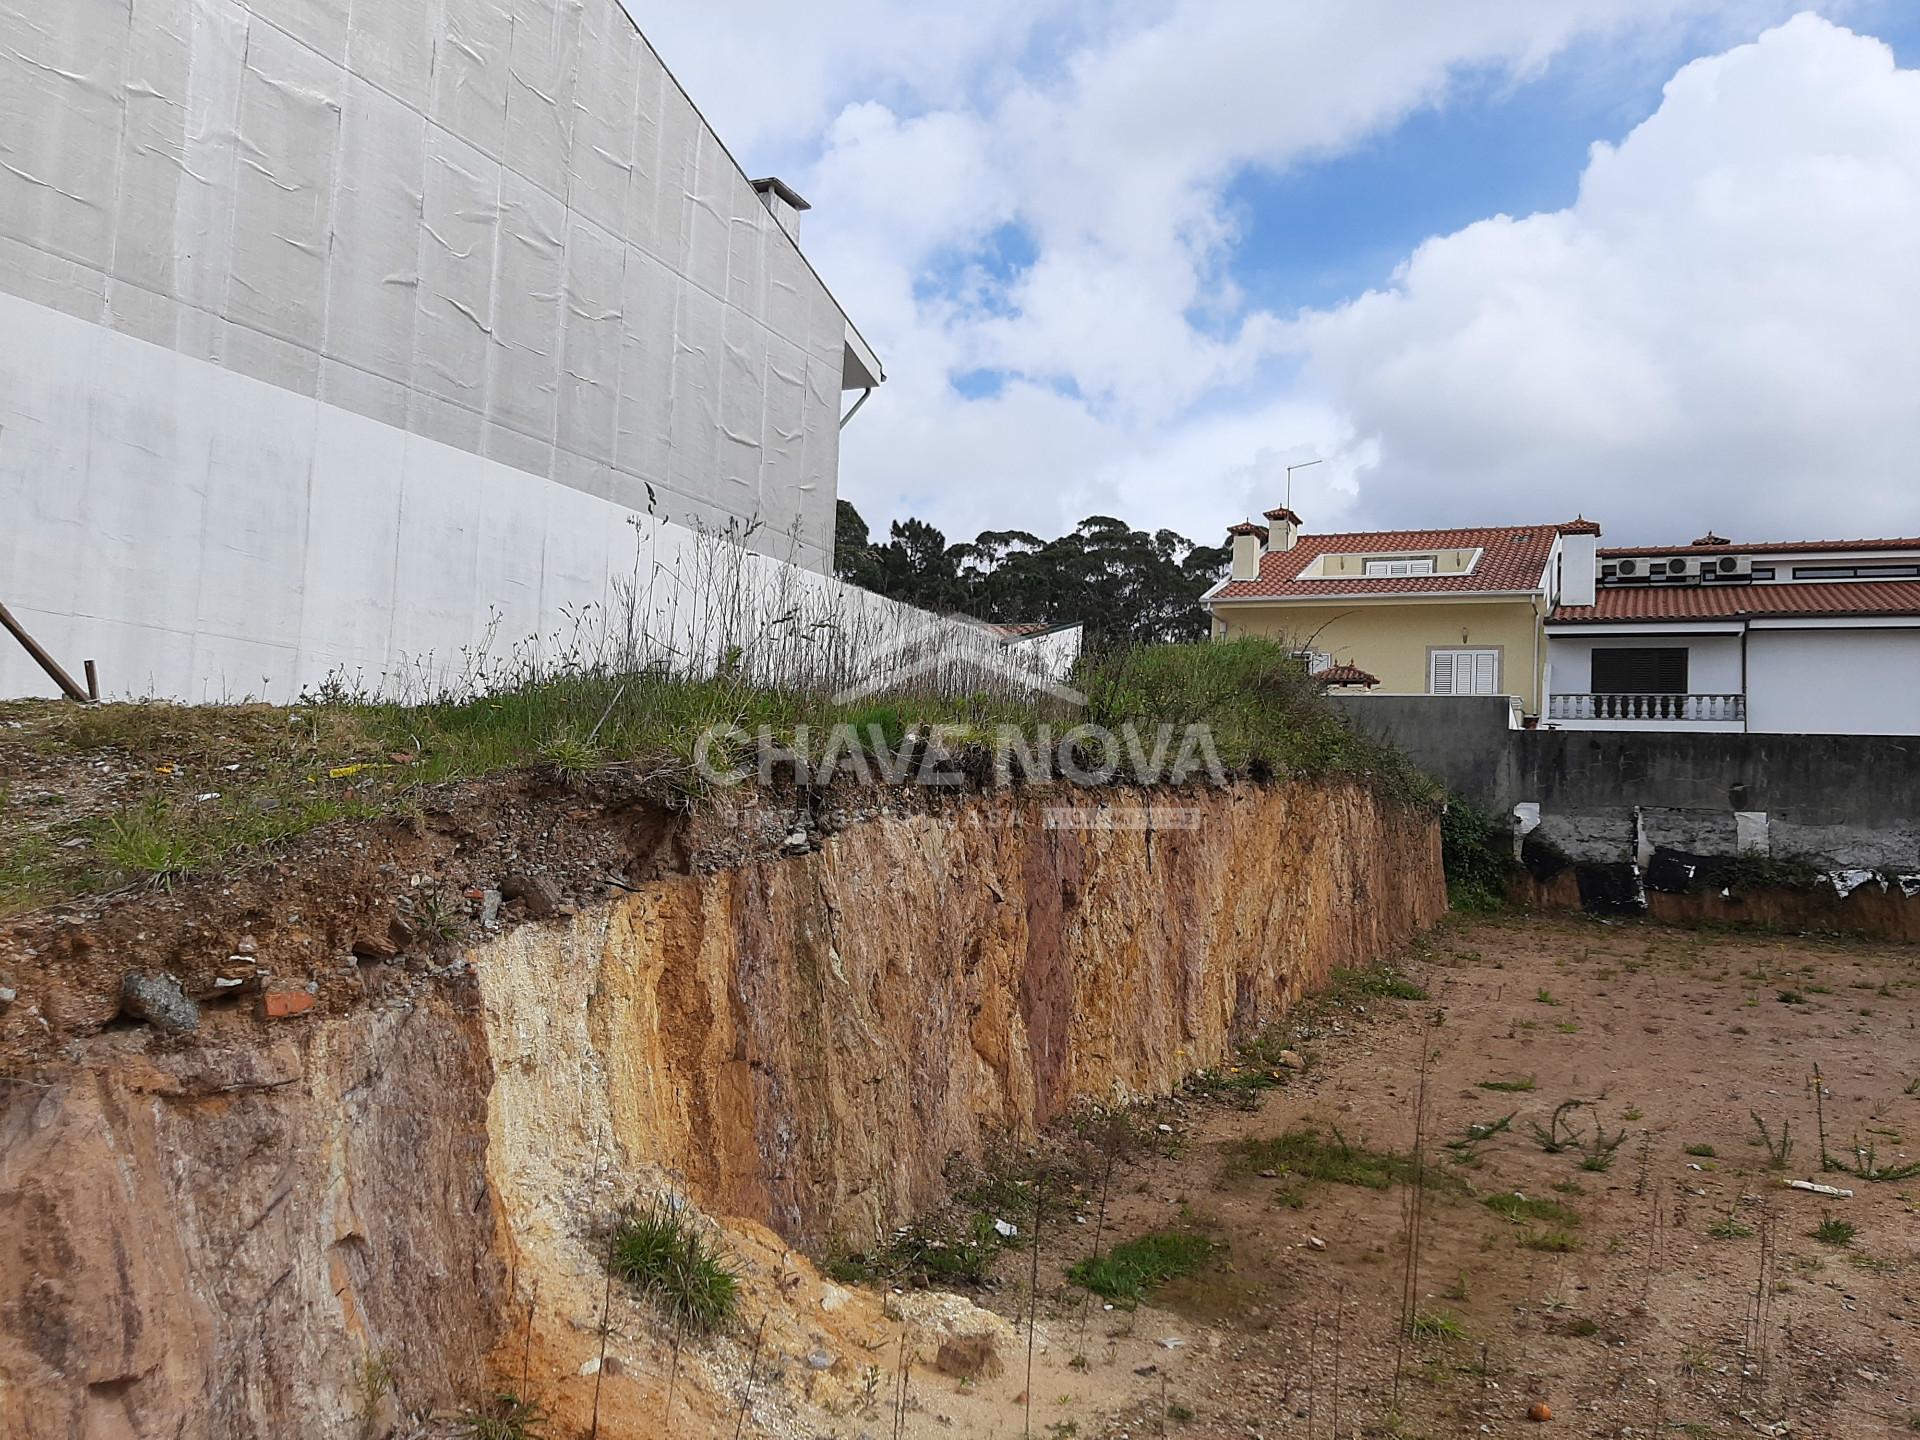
(1391, 640)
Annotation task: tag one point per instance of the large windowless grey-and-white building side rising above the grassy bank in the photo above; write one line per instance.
(356, 339)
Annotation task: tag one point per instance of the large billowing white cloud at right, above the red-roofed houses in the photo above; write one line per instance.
(1717, 335)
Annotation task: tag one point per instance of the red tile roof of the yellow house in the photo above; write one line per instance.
(1516, 560)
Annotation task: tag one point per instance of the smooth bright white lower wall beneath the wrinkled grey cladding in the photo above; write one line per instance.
(210, 537)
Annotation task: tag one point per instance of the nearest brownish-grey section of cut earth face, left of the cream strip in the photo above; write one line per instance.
(212, 1239)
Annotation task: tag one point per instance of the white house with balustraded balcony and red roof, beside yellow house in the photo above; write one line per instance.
(1798, 638)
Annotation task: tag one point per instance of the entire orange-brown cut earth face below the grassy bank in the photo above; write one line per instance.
(210, 1236)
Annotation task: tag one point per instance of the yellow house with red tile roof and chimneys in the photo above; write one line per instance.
(1424, 612)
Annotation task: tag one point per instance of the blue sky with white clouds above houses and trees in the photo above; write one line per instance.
(1654, 262)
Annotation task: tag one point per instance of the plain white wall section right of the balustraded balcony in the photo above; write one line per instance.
(1835, 683)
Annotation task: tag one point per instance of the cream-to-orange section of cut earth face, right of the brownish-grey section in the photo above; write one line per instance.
(807, 1042)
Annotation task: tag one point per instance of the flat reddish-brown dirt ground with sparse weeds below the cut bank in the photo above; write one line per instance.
(1683, 1295)
